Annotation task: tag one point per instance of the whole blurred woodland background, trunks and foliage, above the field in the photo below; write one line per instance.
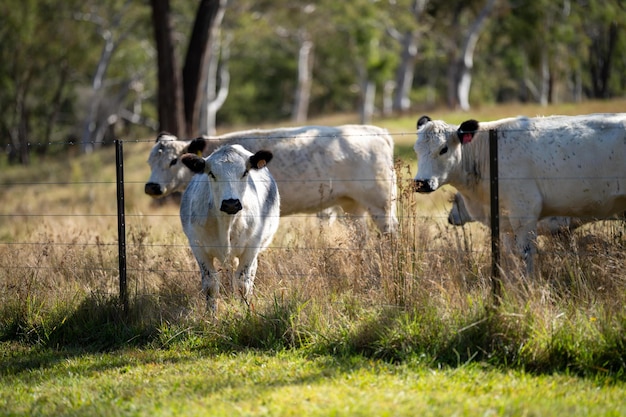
(89, 71)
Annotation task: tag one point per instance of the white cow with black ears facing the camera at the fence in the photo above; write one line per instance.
(230, 212)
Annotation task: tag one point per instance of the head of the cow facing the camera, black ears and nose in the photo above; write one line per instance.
(228, 169)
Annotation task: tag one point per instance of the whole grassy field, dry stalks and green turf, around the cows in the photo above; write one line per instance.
(340, 326)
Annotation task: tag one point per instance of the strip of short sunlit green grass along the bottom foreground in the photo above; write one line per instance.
(288, 383)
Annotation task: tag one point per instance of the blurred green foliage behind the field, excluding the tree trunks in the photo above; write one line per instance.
(51, 49)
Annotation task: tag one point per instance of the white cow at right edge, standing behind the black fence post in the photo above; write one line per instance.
(552, 166)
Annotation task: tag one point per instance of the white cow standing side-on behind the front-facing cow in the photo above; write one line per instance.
(316, 167)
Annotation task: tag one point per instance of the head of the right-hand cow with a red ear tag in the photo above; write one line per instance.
(438, 150)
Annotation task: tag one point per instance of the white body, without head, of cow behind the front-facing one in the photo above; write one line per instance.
(320, 166)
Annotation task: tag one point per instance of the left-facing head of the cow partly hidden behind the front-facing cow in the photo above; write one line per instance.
(168, 174)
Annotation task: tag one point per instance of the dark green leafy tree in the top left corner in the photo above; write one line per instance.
(34, 92)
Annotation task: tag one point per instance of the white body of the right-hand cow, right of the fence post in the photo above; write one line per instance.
(574, 165)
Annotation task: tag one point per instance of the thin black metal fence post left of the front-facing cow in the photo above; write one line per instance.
(121, 223)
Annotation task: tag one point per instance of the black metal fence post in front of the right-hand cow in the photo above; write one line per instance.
(496, 283)
